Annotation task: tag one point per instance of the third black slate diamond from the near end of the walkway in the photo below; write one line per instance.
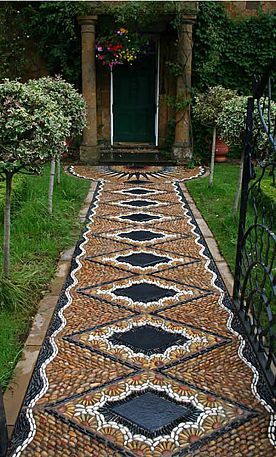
(144, 292)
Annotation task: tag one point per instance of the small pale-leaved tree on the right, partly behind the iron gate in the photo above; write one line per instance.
(231, 124)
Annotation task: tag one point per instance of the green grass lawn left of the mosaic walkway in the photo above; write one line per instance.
(37, 241)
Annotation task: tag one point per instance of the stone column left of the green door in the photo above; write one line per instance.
(89, 150)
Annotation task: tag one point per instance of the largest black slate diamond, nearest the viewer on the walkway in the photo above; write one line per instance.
(151, 413)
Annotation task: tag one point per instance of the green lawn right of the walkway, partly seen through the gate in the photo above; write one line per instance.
(216, 205)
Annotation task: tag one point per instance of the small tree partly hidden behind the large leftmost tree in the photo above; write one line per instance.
(72, 106)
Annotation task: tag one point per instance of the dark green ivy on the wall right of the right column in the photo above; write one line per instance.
(229, 51)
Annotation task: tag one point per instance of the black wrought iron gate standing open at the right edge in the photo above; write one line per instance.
(255, 283)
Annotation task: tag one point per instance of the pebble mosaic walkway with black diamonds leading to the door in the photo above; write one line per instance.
(144, 356)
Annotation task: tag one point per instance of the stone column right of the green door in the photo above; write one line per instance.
(182, 148)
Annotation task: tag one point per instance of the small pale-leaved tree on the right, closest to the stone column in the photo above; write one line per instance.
(207, 108)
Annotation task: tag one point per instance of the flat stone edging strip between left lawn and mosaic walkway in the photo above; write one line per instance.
(17, 388)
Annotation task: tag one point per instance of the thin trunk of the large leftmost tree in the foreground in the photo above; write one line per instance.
(7, 226)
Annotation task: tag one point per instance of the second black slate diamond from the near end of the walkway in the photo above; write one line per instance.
(148, 339)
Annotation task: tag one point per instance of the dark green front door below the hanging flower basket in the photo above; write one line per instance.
(134, 96)
